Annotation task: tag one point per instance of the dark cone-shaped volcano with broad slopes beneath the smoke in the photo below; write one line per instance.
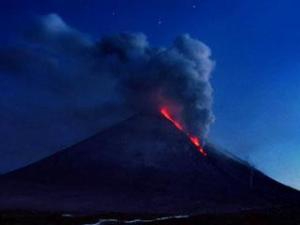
(141, 165)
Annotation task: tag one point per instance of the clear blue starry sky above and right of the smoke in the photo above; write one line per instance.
(256, 48)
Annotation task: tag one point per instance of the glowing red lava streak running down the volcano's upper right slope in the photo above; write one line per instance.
(195, 140)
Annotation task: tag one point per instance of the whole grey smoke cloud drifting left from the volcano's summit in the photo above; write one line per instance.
(60, 77)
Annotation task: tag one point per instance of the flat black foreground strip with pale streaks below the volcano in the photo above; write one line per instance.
(280, 216)
